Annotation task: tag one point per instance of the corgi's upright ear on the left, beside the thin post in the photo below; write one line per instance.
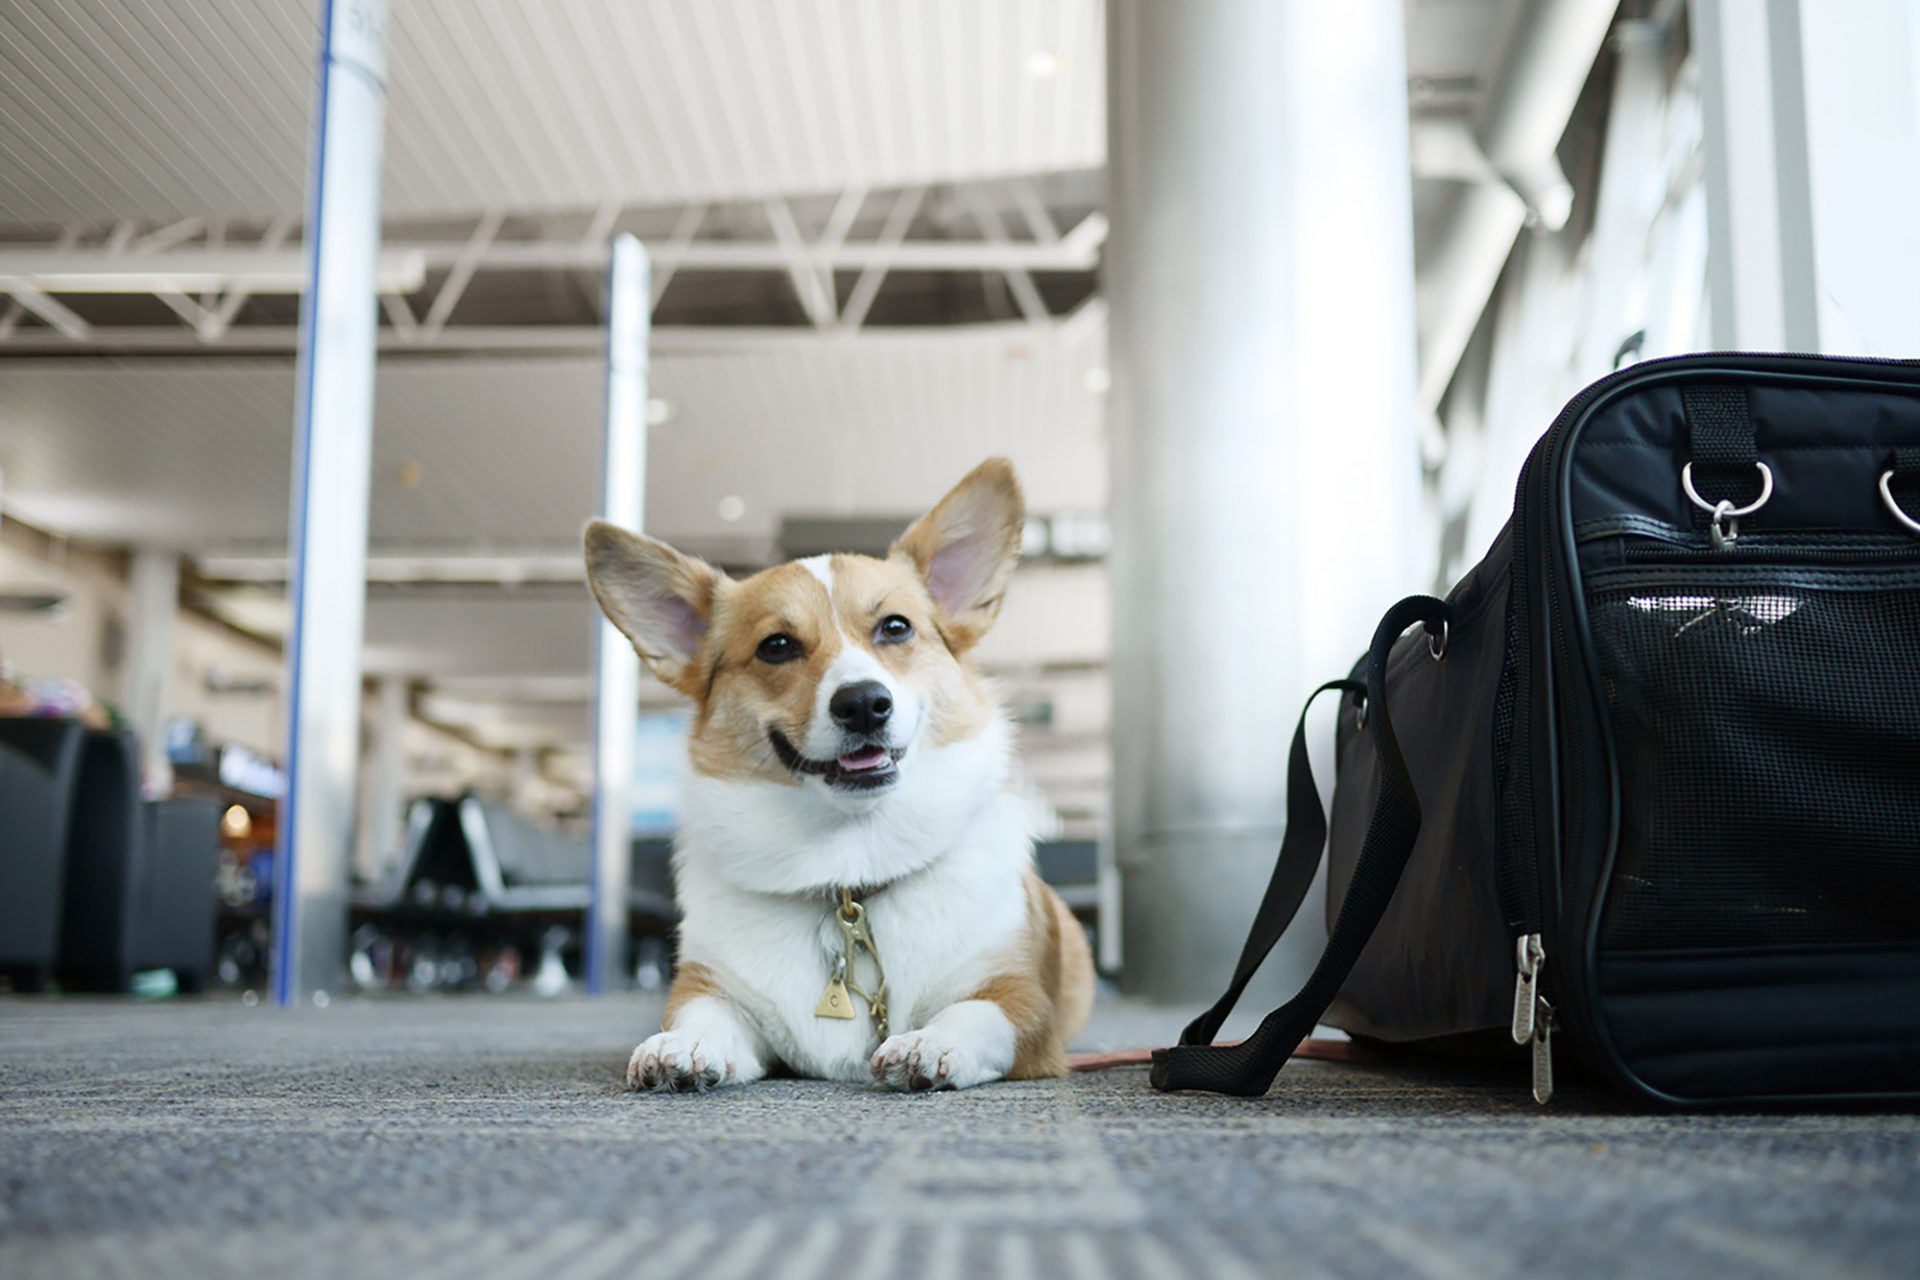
(658, 598)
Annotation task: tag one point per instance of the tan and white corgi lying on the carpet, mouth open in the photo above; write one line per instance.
(855, 874)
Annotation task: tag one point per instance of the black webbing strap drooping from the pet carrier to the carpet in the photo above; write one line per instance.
(1247, 1070)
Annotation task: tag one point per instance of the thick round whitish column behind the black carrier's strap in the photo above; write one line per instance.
(1262, 346)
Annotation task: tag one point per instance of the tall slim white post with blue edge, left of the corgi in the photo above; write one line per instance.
(333, 444)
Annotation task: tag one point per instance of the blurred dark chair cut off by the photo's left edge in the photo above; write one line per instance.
(39, 761)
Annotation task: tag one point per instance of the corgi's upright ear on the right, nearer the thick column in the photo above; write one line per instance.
(967, 550)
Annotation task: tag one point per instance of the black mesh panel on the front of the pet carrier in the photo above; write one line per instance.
(1769, 746)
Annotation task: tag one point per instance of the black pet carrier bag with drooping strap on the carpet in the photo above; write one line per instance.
(1644, 790)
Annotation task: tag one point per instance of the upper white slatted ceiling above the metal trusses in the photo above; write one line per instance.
(180, 108)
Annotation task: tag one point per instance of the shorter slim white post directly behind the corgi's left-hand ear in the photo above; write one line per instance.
(615, 665)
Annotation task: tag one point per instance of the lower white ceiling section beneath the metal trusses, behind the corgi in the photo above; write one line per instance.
(195, 454)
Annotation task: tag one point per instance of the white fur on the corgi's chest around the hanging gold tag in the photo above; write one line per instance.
(940, 928)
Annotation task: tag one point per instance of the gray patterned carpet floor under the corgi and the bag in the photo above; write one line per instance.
(489, 1137)
